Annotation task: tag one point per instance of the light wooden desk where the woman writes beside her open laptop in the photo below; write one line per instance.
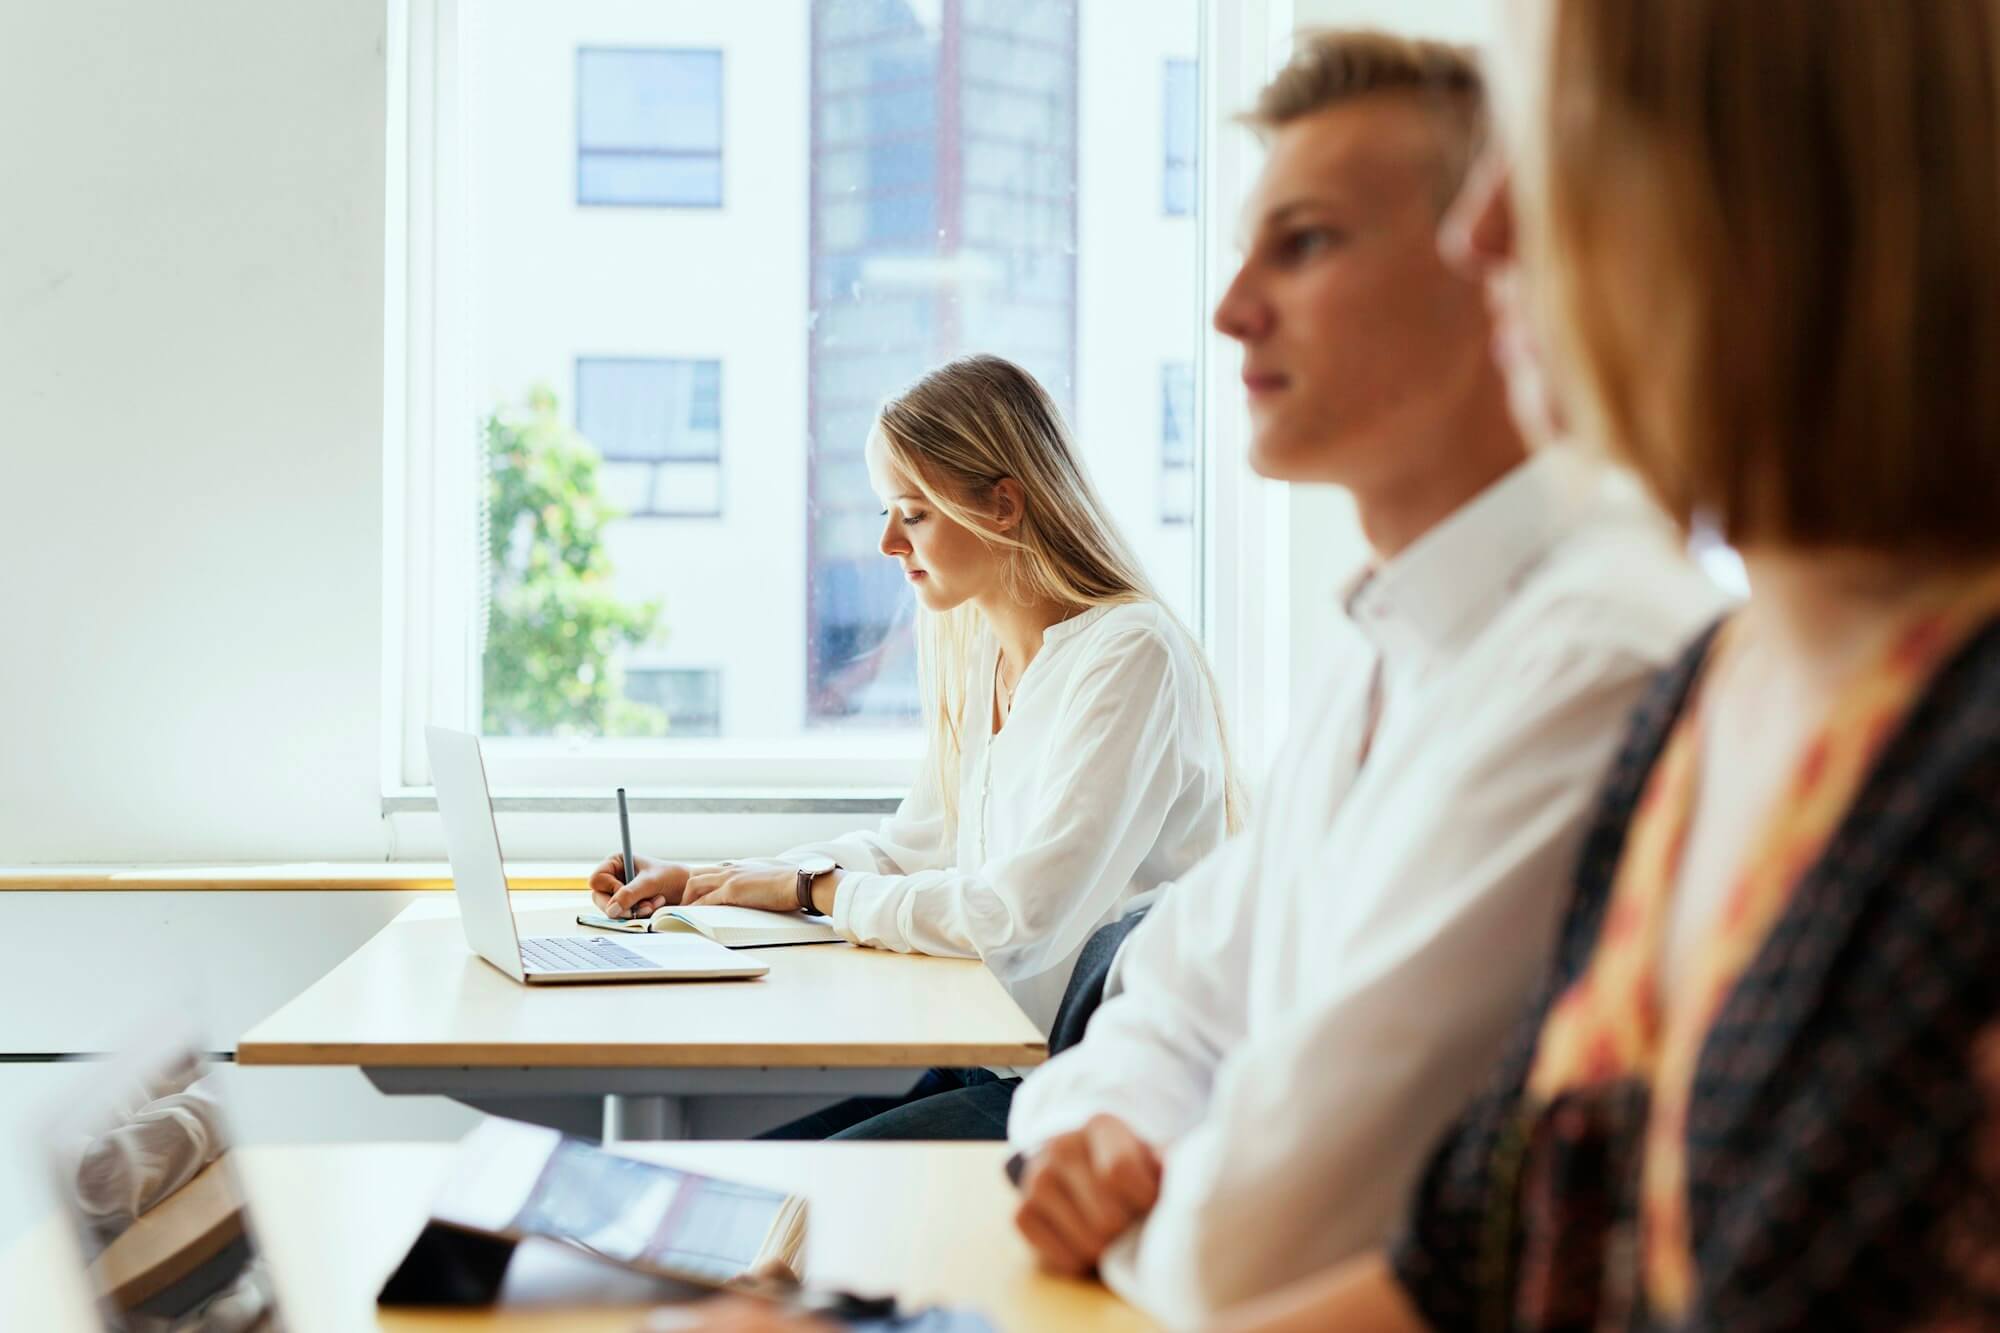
(421, 1014)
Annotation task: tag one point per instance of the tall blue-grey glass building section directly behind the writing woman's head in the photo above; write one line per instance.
(943, 221)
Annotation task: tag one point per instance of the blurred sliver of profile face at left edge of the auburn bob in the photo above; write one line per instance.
(1481, 237)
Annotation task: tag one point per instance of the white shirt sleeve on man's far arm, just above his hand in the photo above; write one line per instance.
(1173, 1010)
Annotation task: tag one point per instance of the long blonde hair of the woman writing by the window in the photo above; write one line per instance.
(955, 435)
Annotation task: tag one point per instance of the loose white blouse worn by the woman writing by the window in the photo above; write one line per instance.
(1105, 784)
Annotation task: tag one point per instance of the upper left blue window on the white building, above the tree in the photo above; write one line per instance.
(649, 127)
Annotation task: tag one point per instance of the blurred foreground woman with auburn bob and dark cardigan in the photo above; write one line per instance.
(1759, 249)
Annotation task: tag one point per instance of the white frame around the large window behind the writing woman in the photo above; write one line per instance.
(431, 655)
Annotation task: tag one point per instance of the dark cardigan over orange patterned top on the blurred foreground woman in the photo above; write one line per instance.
(1809, 1132)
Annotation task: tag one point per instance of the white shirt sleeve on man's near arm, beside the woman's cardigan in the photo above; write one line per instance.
(1319, 1126)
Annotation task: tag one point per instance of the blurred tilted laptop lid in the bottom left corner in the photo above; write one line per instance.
(139, 1156)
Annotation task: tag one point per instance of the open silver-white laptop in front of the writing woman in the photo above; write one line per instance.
(473, 844)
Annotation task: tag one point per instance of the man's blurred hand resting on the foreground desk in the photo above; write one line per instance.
(1083, 1192)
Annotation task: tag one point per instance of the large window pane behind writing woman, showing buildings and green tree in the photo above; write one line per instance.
(909, 183)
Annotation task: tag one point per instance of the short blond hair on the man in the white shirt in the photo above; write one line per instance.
(1331, 67)
